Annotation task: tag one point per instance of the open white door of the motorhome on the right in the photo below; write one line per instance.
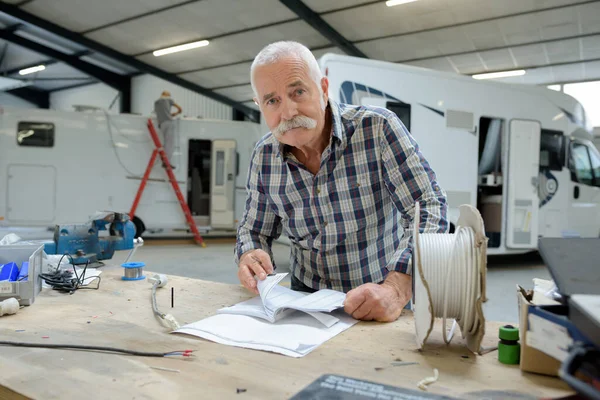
(523, 167)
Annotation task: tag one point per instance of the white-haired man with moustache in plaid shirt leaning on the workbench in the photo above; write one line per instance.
(340, 181)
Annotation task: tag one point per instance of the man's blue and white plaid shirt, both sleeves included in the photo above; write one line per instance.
(344, 223)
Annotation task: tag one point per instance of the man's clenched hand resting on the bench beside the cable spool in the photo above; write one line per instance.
(383, 302)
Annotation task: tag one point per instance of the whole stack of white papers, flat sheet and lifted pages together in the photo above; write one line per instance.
(279, 320)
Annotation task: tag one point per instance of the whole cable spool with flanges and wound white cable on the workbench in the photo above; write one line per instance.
(449, 281)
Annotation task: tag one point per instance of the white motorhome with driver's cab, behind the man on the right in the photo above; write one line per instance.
(521, 154)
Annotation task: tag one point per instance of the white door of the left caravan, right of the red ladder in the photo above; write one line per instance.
(222, 189)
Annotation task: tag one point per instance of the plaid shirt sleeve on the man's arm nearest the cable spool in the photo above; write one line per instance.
(410, 179)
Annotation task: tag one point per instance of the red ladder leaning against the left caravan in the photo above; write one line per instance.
(186, 211)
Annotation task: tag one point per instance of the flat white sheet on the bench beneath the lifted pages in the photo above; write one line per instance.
(294, 336)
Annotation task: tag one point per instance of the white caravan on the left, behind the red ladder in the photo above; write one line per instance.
(61, 167)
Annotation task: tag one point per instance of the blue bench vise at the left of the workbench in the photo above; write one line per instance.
(83, 243)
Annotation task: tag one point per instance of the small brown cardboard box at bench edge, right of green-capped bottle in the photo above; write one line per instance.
(532, 360)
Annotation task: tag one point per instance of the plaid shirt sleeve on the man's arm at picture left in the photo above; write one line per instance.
(260, 225)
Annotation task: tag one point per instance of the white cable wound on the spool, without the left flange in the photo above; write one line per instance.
(450, 267)
